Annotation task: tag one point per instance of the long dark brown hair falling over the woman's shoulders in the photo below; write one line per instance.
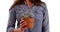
(18, 2)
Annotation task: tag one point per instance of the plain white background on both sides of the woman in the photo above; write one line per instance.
(53, 9)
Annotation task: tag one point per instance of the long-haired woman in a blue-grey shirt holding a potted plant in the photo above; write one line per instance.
(38, 8)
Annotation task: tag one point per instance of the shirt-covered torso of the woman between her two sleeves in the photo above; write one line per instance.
(37, 12)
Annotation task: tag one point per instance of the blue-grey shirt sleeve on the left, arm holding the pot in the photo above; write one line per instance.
(11, 20)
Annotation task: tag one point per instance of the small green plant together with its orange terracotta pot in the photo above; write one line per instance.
(29, 18)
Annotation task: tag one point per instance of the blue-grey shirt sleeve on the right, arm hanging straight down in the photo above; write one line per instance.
(45, 23)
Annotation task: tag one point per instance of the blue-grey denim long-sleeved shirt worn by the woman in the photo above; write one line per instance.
(41, 23)
